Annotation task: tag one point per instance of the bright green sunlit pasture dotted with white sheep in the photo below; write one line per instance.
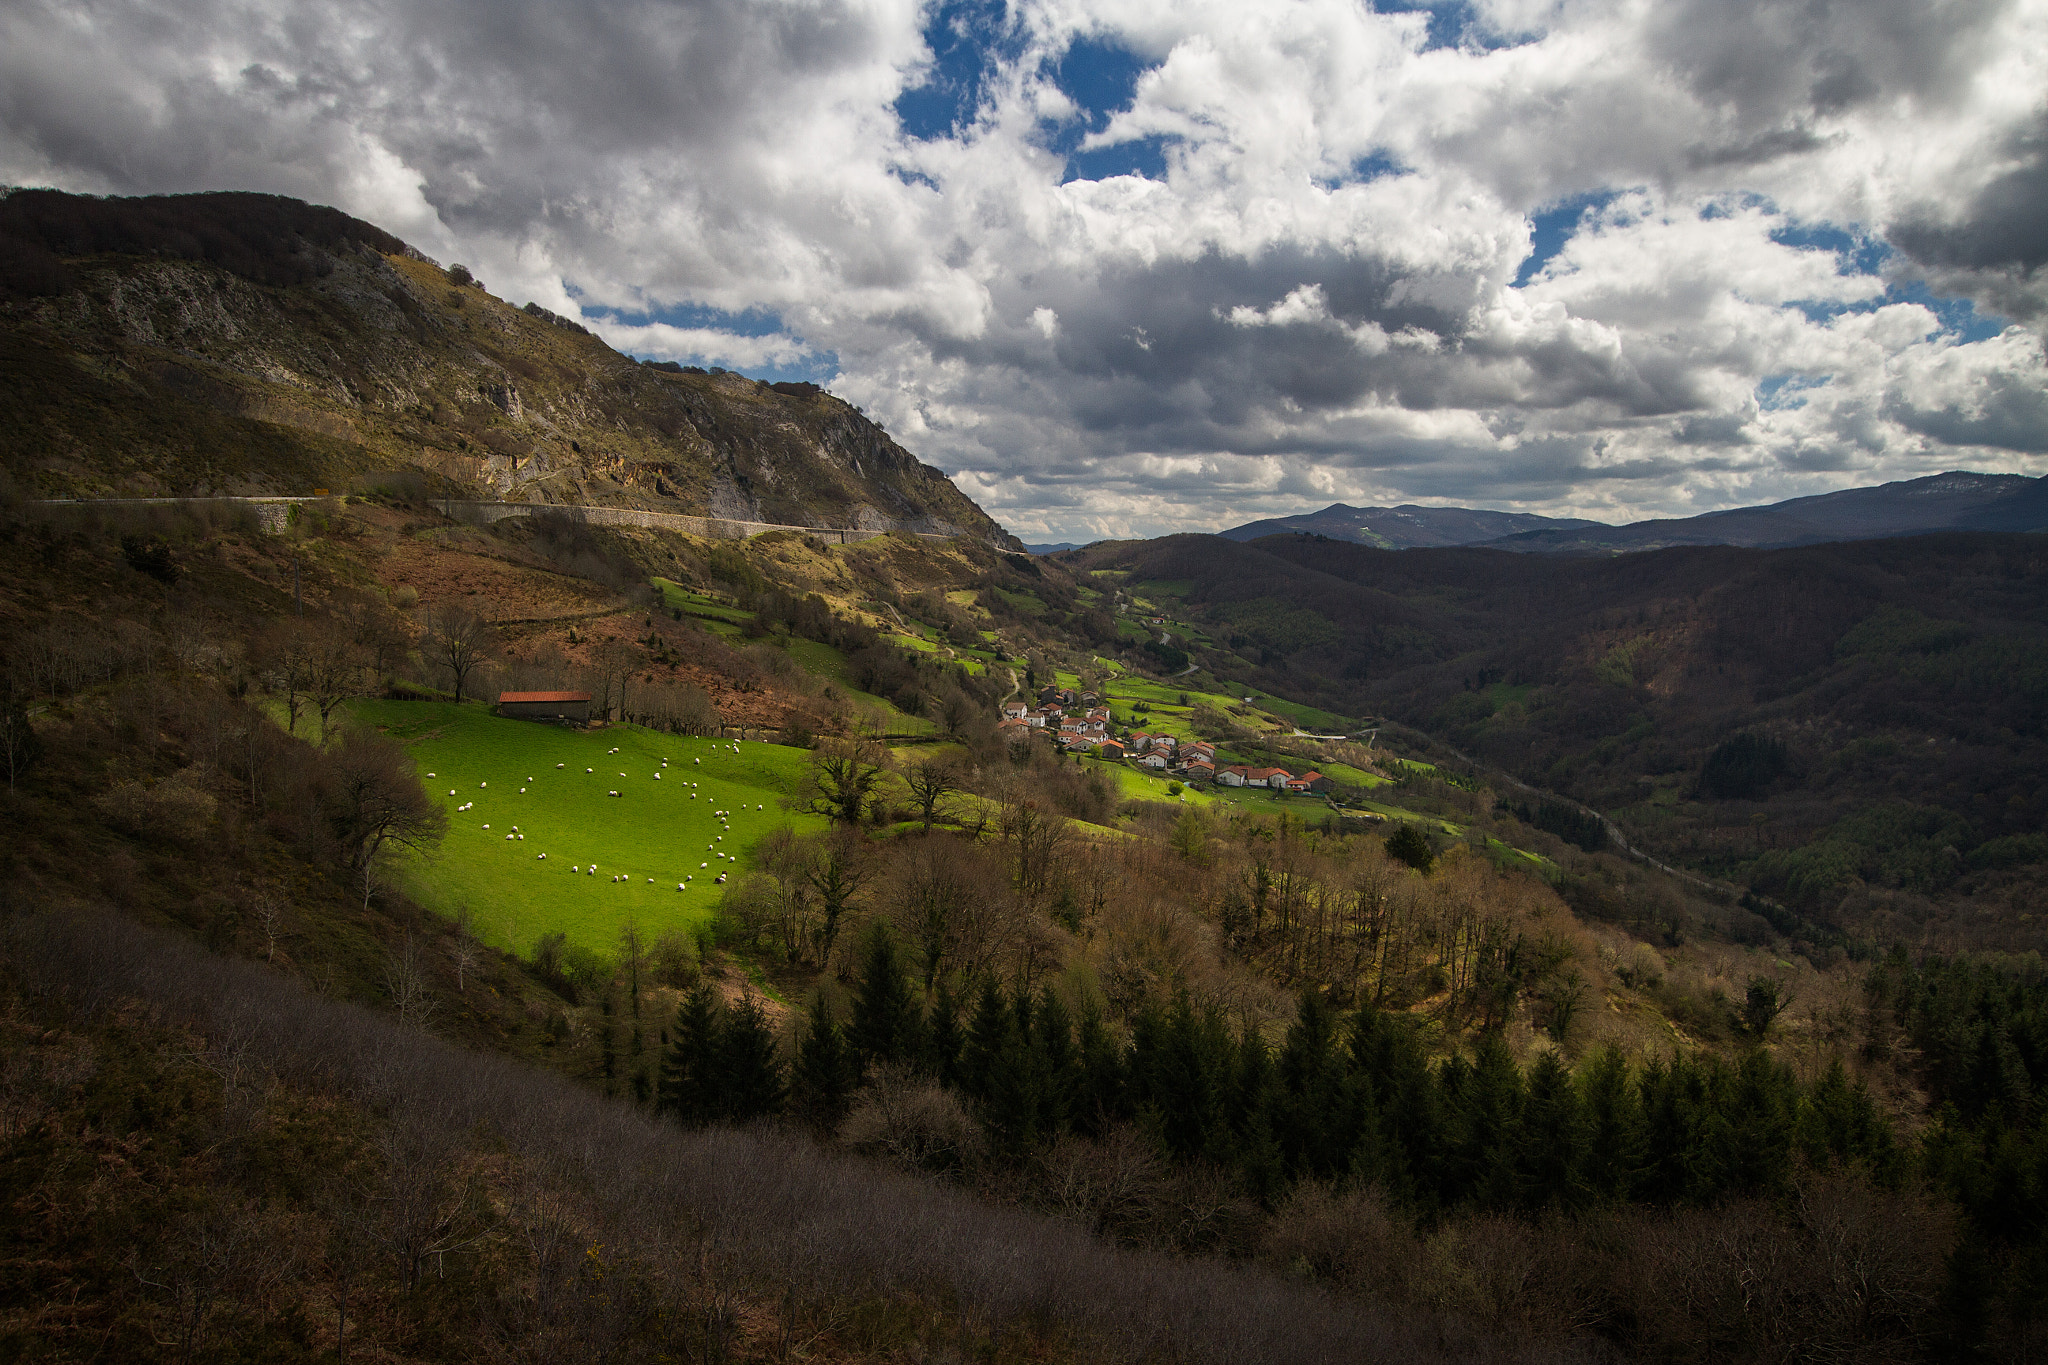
(654, 834)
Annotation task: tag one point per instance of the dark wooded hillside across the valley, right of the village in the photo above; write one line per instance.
(1897, 691)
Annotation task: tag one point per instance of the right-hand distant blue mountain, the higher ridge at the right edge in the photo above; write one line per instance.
(1957, 500)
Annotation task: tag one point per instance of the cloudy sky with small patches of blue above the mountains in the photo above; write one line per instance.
(1136, 267)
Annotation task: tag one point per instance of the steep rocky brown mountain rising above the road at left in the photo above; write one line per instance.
(208, 345)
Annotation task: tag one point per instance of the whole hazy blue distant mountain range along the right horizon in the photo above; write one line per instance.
(1957, 500)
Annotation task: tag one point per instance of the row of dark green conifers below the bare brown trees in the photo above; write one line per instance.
(1340, 1100)
